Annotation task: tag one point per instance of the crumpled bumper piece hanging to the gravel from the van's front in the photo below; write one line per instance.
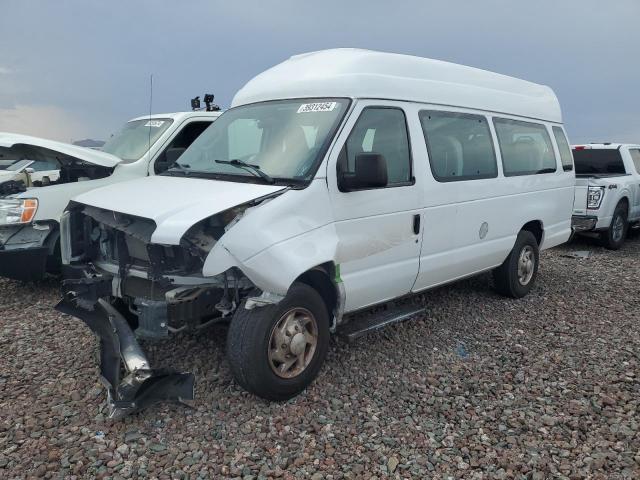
(141, 385)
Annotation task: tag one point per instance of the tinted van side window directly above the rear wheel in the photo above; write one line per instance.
(525, 147)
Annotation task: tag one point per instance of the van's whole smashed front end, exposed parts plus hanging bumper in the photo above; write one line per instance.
(125, 288)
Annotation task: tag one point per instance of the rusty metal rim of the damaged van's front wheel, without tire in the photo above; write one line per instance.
(293, 342)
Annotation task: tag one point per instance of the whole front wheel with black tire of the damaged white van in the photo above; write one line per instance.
(276, 351)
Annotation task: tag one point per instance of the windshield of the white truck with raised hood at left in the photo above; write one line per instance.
(134, 139)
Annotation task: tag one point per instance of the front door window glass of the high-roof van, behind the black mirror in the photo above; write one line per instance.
(380, 130)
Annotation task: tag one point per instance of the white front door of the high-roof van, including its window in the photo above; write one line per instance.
(378, 229)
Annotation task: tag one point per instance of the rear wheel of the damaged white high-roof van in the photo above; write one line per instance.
(517, 274)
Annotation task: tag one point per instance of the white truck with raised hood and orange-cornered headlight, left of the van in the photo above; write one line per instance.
(29, 220)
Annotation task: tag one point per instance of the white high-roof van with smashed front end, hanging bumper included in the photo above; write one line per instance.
(341, 181)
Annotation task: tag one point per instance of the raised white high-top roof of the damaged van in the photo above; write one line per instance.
(356, 73)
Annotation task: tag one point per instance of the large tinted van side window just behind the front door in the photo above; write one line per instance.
(460, 146)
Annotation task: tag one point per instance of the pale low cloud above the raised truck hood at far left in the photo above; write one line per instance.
(45, 121)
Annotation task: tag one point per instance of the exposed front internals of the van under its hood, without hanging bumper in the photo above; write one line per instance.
(112, 256)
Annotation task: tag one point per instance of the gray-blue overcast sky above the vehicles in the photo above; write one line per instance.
(77, 69)
